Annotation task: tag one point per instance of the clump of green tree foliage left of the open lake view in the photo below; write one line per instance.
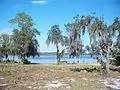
(23, 41)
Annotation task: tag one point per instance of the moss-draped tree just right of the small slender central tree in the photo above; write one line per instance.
(74, 30)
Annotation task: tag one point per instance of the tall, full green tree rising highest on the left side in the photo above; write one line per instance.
(24, 37)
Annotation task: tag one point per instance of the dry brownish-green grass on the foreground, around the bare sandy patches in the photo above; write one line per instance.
(20, 76)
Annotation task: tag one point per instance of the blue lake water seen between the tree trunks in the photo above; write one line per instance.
(49, 59)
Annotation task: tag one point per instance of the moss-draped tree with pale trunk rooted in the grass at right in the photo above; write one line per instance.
(104, 42)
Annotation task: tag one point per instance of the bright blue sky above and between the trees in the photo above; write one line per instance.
(46, 13)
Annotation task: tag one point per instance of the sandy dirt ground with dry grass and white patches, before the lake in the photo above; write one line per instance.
(51, 77)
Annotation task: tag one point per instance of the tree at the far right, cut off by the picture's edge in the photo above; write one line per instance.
(115, 31)
